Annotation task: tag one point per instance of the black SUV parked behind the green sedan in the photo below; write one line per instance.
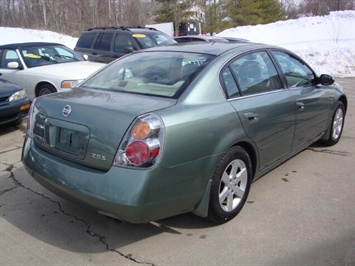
(106, 44)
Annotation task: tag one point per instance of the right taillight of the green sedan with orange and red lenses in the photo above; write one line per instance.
(142, 144)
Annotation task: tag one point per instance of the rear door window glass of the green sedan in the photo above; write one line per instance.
(255, 73)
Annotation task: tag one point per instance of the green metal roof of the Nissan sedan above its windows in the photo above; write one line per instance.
(212, 48)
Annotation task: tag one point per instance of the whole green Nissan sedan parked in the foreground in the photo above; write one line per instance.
(178, 129)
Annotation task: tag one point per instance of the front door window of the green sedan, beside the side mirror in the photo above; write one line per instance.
(296, 72)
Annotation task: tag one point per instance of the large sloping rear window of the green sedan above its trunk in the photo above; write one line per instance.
(150, 73)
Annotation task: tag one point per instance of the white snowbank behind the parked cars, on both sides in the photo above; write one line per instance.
(327, 43)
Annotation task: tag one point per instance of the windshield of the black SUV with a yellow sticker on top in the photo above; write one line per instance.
(151, 39)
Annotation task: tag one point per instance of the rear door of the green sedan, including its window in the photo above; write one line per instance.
(265, 108)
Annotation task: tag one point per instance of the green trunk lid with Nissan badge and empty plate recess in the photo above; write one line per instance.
(86, 126)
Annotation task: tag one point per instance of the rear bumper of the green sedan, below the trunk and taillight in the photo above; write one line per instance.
(136, 196)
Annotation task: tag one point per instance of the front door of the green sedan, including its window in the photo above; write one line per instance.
(311, 100)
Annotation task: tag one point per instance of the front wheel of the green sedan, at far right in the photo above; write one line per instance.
(336, 126)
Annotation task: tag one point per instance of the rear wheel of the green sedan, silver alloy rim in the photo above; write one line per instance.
(231, 185)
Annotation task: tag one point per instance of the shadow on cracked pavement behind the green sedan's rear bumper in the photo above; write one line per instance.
(45, 217)
